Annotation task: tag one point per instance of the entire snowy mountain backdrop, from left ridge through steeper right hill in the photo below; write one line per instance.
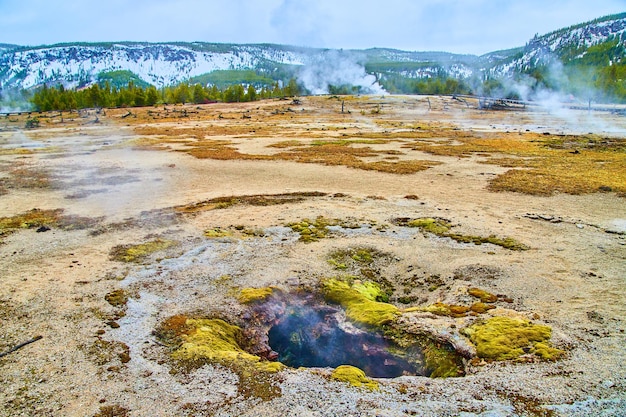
(162, 64)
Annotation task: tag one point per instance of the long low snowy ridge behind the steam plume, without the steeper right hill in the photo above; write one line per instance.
(76, 65)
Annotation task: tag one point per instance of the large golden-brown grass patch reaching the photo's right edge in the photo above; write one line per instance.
(549, 163)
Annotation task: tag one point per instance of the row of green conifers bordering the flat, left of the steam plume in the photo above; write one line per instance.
(96, 95)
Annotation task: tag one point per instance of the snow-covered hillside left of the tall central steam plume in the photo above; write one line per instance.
(158, 64)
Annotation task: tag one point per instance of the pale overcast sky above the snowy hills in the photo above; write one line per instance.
(460, 26)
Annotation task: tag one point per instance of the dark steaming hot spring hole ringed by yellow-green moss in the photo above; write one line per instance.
(319, 336)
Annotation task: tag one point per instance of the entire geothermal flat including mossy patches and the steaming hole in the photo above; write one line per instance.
(472, 262)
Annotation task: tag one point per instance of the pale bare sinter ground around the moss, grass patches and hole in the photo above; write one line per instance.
(54, 283)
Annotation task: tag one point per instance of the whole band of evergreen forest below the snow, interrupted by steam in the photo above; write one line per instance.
(596, 73)
